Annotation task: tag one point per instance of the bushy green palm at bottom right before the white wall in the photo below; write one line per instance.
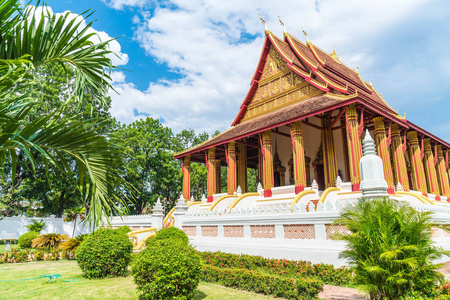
(391, 248)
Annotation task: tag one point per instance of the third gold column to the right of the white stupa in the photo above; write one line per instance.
(418, 174)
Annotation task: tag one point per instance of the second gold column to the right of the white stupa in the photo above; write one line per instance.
(400, 171)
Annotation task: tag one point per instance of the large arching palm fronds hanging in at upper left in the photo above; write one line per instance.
(29, 40)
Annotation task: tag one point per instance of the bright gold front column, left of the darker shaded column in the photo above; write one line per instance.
(298, 156)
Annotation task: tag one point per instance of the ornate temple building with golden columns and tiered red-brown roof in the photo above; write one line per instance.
(300, 127)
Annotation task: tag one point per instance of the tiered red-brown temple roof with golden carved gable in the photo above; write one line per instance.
(311, 82)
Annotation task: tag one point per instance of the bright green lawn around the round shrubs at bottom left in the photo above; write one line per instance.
(109, 288)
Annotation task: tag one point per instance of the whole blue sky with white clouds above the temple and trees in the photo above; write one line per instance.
(191, 61)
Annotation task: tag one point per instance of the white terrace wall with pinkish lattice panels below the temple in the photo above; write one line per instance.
(274, 231)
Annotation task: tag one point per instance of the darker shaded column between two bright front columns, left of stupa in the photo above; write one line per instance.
(329, 154)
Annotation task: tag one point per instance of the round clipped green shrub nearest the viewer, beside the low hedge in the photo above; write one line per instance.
(167, 269)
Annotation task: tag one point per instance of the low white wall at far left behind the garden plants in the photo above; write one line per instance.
(14, 227)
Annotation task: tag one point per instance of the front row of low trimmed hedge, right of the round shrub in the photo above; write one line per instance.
(267, 284)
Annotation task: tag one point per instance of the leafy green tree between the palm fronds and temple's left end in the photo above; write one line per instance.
(149, 164)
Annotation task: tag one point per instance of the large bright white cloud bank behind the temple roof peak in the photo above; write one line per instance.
(213, 45)
